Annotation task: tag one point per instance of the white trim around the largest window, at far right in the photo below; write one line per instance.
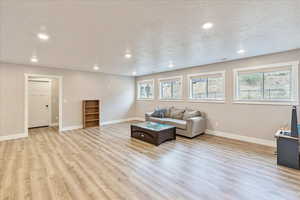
(294, 75)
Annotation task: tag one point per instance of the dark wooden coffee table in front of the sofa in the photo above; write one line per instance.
(153, 133)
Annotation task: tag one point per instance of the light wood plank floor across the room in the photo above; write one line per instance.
(108, 164)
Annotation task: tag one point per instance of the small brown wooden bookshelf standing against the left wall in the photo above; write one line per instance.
(90, 113)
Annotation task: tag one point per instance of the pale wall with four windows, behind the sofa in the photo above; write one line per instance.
(259, 121)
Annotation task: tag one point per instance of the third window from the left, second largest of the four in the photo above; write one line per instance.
(207, 86)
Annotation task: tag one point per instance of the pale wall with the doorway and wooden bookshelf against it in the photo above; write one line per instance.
(116, 92)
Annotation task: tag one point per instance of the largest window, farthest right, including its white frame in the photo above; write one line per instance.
(272, 83)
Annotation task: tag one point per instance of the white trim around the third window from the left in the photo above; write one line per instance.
(206, 100)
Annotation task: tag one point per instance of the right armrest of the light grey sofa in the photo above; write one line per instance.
(196, 125)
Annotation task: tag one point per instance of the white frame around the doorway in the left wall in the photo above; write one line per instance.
(60, 85)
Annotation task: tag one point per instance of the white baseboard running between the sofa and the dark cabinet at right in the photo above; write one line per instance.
(242, 138)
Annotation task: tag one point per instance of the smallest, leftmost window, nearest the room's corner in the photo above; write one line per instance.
(145, 89)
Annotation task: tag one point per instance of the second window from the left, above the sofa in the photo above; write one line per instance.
(171, 88)
